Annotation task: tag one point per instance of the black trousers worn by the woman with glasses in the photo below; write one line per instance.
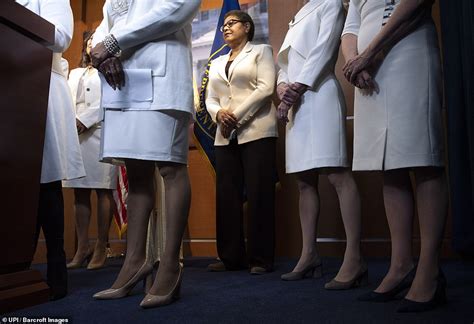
(250, 166)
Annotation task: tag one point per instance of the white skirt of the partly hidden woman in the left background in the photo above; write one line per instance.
(98, 175)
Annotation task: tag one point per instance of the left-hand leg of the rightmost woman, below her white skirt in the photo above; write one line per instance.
(398, 200)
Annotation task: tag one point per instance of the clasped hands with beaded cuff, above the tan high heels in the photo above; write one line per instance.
(109, 65)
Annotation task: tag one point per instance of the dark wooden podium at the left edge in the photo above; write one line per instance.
(25, 72)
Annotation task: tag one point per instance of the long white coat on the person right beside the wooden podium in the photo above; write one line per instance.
(62, 157)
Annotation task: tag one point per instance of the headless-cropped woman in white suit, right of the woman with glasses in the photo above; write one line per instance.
(315, 134)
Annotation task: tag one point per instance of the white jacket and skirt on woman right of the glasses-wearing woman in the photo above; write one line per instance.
(315, 133)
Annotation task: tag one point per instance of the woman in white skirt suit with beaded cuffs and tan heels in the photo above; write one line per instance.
(146, 125)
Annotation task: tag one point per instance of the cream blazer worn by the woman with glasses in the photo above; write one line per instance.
(246, 93)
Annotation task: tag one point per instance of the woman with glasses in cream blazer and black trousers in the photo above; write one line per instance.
(238, 100)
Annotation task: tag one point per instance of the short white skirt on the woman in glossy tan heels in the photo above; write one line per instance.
(153, 135)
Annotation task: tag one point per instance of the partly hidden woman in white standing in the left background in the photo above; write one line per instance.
(85, 86)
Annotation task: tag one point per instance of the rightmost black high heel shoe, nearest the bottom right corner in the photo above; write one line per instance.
(439, 299)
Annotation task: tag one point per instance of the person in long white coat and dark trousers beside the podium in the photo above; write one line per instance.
(61, 154)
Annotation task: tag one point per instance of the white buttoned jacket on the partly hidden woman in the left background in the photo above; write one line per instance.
(91, 114)
